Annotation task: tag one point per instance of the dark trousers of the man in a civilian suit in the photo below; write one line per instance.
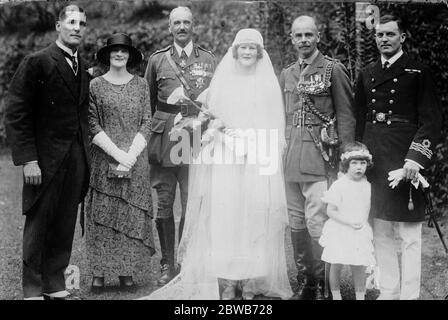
(50, 225)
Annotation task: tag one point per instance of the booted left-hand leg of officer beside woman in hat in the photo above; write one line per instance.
(163, 179)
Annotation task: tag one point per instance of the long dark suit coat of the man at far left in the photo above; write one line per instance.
(44, 114)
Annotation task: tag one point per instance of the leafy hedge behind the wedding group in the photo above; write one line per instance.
(29, 26)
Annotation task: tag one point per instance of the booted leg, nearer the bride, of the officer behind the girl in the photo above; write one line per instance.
(300, 239)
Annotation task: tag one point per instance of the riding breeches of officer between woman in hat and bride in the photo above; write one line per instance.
(164, 180)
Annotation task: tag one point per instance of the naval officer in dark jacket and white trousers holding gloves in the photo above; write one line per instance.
(398, 118)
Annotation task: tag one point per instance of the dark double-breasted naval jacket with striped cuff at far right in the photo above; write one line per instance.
(398, 118)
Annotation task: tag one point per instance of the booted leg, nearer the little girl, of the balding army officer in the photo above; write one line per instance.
(316, 215)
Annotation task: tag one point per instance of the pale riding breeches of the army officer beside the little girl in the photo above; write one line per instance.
(305, 207)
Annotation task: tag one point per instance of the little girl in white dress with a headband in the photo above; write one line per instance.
(347, 236)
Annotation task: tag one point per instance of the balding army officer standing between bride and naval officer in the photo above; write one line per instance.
(317, 93)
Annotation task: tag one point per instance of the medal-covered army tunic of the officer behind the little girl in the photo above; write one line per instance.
(303, 159)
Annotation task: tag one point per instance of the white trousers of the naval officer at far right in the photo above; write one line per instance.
(390, 238)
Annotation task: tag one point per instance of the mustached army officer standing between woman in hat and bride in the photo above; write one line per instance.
(196, 66)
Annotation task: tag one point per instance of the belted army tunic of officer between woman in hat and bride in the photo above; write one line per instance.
(197, 70)
